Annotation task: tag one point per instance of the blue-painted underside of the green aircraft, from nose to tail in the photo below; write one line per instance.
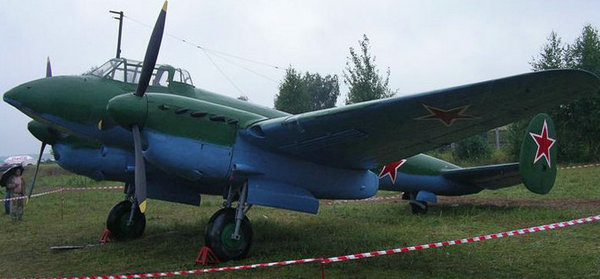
(180, 169)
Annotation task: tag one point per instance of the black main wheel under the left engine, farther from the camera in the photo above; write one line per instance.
(118, 221)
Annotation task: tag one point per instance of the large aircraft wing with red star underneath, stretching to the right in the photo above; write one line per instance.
(371, 134)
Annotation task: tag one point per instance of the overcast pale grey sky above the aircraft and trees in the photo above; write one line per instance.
(427, 44)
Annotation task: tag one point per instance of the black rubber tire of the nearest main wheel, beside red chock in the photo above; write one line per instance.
(218, 232)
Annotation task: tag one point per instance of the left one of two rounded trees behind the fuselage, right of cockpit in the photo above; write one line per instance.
(293, 95)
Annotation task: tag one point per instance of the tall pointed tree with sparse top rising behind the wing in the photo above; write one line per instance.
(362, 76)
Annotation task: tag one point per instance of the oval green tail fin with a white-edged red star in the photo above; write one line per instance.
(538, 155)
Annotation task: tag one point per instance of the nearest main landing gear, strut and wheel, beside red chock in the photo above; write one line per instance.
(229, 232)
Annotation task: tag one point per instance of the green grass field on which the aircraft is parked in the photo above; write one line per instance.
(174, 235)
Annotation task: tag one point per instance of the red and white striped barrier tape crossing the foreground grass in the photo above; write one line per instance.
(355, 256)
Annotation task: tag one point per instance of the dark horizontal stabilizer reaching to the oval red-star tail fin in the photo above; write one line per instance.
(488, 177)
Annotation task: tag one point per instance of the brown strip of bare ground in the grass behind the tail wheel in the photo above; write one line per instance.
(457, 201)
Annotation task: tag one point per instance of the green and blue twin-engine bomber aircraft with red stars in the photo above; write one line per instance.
(148, 126)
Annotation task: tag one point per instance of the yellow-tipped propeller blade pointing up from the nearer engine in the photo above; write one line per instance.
(152, 52)
